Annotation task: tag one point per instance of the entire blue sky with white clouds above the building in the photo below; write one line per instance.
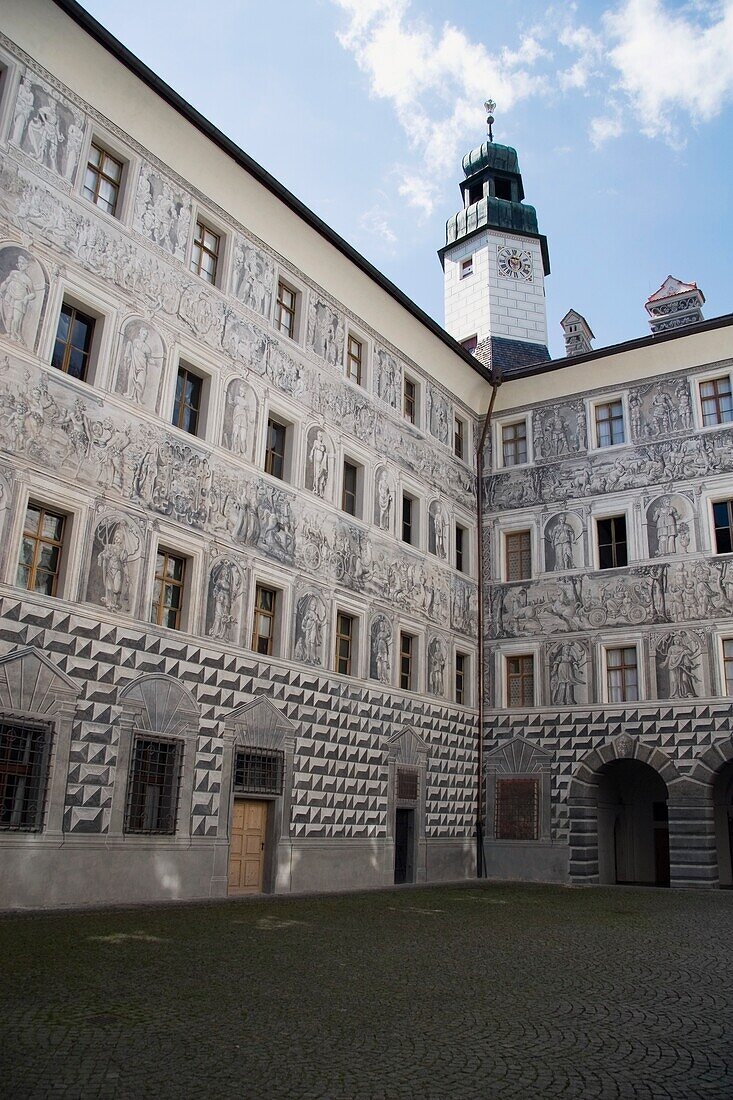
(621, 113)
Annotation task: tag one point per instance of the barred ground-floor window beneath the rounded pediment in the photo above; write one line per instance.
(154, 790)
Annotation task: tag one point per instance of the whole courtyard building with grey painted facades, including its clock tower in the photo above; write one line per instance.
(267, 625)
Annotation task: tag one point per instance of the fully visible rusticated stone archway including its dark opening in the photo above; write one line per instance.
(618, 808)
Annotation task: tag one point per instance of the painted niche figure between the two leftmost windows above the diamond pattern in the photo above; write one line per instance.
(116, 555)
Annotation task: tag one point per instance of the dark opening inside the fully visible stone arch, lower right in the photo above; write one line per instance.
(633, 830)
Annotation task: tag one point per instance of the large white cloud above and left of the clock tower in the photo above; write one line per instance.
(436, 82)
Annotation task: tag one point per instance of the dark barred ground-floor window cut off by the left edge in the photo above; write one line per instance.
(25, 750)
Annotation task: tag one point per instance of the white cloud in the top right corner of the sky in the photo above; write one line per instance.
(673, 62)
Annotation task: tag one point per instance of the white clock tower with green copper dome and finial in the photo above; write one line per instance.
(495, 262)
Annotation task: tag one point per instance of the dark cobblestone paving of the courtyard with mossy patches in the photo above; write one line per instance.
(475, 992)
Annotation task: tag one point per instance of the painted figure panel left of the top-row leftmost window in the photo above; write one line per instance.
(48, 129)
